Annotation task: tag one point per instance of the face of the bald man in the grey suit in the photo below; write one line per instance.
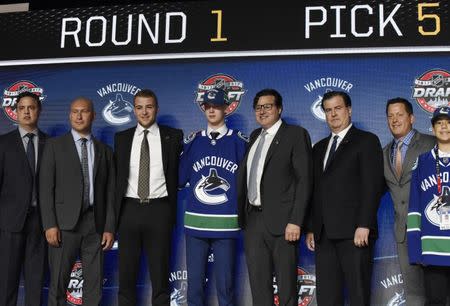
(81, 116)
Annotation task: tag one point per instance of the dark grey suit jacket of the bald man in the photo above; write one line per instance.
(61, 185)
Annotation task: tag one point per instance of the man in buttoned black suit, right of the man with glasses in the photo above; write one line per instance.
(348, 184)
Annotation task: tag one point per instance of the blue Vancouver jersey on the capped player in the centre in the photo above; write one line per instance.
(210, 168)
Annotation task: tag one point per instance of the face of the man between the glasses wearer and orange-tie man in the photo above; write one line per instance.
(338, 115)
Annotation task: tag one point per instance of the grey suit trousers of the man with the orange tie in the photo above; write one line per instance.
(412, 277)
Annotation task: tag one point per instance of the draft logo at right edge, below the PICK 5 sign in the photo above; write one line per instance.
(432, 89)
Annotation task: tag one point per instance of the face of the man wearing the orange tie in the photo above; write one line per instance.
(400, 122)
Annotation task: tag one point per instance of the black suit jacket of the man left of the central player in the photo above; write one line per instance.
(171, 145)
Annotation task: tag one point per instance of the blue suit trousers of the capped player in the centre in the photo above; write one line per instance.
(197, 252)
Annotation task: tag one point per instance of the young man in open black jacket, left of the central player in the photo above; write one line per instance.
(147, 159)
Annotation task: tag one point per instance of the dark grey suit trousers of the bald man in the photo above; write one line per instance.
(83, 242)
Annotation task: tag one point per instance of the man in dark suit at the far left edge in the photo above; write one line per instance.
(22, 243)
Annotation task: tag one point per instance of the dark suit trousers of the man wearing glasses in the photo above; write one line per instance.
(269, 254)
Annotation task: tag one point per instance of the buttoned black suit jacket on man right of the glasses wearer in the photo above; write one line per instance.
(347, 194)
